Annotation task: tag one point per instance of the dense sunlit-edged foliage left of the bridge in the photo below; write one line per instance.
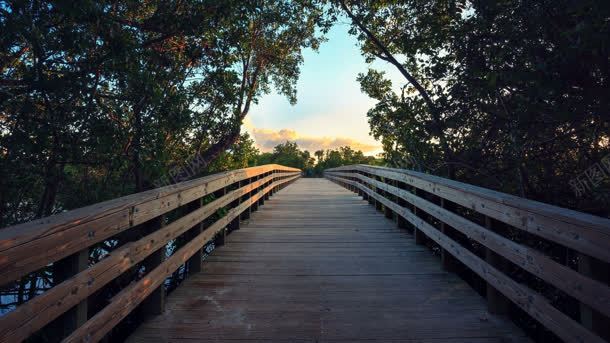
(105, 98)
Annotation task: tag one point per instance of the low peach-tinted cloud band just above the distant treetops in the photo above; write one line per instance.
(267, 139)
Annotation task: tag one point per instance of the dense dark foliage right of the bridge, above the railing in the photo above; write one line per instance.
(511, 95)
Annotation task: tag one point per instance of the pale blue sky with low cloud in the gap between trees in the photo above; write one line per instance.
(330, 110)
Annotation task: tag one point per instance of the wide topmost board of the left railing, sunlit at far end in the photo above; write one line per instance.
(61, 235)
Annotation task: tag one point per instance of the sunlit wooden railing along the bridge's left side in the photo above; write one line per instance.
(143, 222)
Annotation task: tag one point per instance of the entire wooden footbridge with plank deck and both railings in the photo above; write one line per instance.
(309, 260)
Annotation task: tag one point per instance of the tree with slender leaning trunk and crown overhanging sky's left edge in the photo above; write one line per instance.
(276, 34)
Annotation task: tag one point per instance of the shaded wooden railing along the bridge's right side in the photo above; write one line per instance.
(494, 235)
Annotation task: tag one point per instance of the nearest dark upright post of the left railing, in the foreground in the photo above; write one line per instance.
(63, 270)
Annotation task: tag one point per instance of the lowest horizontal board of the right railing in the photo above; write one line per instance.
(531, 302)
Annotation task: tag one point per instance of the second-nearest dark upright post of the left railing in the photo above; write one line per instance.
(154, 304)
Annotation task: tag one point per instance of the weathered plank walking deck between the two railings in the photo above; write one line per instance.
(316, 263)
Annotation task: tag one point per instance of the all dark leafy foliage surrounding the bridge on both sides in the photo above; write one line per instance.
(100, 99)
